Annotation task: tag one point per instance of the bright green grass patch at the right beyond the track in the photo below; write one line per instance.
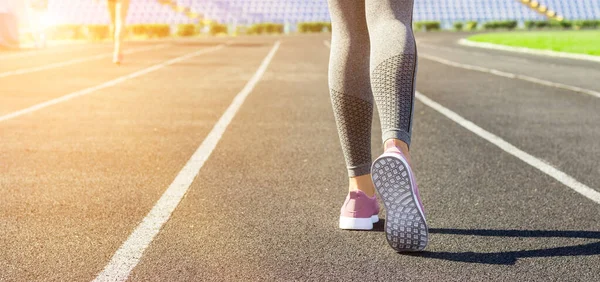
(576, 41)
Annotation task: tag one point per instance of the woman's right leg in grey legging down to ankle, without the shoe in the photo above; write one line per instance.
(393, 68)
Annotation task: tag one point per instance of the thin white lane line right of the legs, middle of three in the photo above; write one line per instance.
(511, 75)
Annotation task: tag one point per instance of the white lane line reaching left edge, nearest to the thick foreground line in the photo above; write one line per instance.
(107, 84)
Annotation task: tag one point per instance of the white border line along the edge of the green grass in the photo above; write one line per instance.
(523, 50)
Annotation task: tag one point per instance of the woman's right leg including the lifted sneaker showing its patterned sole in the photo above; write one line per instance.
(393, 70)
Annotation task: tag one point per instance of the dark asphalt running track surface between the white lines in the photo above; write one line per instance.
(77, 177)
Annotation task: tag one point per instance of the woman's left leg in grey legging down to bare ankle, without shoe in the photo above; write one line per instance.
(350, 89)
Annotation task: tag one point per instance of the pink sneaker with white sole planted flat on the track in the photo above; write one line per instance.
(359, 211)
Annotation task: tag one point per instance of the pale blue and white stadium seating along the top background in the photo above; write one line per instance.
(293, 11)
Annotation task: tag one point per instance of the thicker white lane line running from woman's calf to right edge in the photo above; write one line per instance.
(509, 148)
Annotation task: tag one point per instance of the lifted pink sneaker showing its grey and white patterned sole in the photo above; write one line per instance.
(405, 225)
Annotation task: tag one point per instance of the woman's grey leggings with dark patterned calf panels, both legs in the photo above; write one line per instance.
(373, 55)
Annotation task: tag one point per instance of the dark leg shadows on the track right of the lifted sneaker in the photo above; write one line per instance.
(510, 258)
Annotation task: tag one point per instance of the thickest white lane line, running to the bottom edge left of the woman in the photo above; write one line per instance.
(129, 254)
